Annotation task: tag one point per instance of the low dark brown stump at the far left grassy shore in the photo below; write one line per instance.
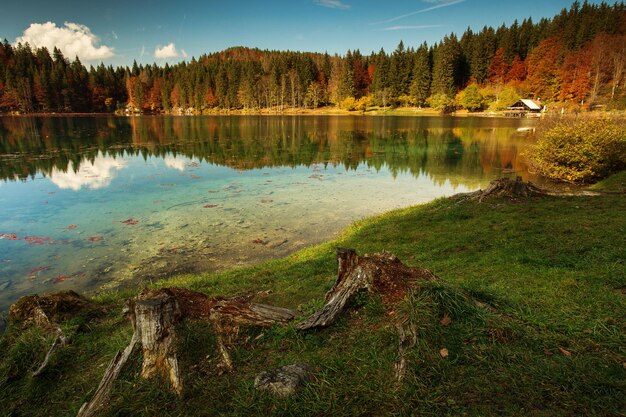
(47, 312)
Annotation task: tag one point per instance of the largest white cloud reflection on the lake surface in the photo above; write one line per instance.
(90, 175)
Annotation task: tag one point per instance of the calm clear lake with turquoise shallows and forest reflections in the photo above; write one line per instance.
(90, 203)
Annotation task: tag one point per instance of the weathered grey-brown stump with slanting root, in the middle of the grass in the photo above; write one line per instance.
(380, 273)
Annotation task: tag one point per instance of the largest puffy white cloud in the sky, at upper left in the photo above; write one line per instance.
(72, 39)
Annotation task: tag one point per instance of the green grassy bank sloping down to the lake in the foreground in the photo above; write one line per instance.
(534, 290)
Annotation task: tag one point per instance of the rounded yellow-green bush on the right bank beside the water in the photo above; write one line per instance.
(580, 150)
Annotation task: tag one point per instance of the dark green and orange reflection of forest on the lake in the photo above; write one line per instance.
(462, 150)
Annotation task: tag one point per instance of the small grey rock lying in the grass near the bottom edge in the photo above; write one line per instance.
(283, 381)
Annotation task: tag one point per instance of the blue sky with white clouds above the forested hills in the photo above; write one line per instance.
(118, 32)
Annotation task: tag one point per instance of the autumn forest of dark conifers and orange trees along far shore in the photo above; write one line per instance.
(577, 58)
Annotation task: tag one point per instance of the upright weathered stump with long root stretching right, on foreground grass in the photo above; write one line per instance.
(155, 315)
